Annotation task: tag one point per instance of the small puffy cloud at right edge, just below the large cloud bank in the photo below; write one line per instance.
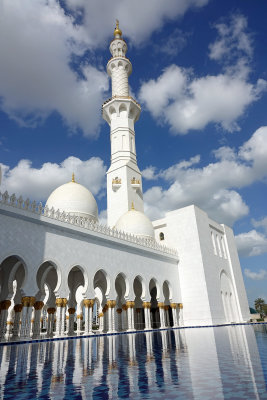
(251, 243)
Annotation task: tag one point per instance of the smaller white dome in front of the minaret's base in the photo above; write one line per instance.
(135, 222)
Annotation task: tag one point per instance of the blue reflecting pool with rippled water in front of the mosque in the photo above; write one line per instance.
(204, 363)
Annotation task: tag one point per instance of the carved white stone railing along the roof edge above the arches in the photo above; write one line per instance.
(86, 223)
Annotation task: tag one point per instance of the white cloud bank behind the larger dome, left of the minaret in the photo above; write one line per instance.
(38, 183)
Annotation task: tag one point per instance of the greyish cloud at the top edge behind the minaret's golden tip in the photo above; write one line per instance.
(138, 19)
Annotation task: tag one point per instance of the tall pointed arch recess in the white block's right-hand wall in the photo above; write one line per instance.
(228, 298)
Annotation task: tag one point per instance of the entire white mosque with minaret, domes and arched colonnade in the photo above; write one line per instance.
(64, 274)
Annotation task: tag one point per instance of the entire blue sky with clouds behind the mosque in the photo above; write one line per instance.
(199, 72)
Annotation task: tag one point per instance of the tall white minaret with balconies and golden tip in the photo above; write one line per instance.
(124, 181)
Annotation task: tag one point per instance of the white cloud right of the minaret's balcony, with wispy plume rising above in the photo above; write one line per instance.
(184, 101)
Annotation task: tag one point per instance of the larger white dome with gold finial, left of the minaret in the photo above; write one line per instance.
(75, 199)
